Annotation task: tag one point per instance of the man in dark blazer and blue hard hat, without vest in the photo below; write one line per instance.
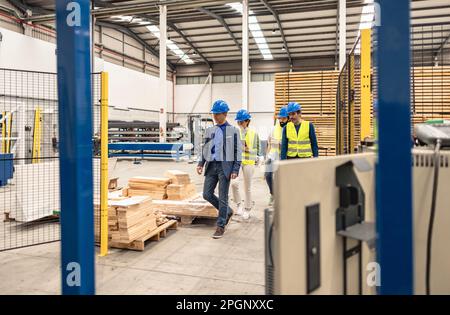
(221, 158)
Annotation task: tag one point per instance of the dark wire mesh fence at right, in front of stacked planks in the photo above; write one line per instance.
(430, 84)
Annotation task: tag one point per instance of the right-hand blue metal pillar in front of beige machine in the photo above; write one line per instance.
(394, 173)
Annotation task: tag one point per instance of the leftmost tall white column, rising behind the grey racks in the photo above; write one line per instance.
(163, 97)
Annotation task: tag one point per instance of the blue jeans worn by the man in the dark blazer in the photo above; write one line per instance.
(214, 174)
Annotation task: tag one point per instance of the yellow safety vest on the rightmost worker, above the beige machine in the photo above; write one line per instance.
(299, 145)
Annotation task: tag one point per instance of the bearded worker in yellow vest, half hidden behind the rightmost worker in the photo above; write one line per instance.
(273, 149)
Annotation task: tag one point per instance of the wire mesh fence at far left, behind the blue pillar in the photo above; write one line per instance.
(29, 158)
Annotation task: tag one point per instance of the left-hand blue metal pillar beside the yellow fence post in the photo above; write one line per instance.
(75, 132)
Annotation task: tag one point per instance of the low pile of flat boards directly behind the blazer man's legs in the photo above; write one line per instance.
(188, 209)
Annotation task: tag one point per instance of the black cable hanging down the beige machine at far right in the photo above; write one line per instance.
(432, 214)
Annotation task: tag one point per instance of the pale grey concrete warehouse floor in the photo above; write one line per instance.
(188, 261)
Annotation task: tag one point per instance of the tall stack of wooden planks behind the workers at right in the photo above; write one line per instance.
(316, 92)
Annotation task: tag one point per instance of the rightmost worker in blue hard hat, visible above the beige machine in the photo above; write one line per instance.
(299, 137)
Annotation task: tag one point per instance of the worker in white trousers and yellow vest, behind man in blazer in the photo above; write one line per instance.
(250, 153)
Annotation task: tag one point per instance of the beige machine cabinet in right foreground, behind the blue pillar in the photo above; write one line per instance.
(322, 234)
